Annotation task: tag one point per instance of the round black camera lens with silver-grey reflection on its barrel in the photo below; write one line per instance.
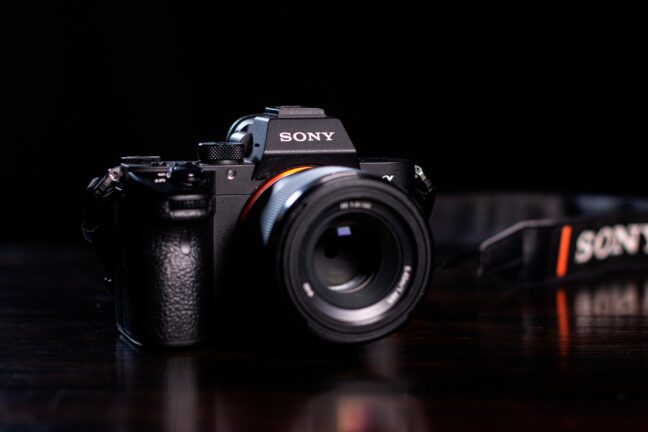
(350, 253)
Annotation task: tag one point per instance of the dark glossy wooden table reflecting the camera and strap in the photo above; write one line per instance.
(475, 357)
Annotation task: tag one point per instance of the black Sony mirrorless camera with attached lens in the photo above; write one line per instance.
(281, 225)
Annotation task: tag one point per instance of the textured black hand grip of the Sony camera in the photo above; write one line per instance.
(165, 286)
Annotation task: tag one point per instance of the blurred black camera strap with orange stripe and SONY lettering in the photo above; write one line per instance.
(532, 238)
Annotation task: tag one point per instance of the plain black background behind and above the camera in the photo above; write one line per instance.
(534, 98)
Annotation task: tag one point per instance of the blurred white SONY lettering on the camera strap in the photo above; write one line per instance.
(610, 241)
